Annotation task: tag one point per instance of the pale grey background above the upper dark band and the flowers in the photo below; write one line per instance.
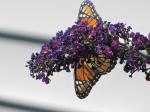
(49, 16)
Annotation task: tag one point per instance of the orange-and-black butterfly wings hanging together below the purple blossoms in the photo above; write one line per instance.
(88, 73)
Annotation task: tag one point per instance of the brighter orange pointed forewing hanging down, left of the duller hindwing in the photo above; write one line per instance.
(86, 76)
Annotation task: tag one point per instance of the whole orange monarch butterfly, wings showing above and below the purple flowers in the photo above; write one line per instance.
(87, 73)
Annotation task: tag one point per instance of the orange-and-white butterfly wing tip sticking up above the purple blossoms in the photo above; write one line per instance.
(87, 13)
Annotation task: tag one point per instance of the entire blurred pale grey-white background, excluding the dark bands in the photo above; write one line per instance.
(114, 92)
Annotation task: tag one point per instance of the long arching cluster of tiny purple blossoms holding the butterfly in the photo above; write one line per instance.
(116, 41)
